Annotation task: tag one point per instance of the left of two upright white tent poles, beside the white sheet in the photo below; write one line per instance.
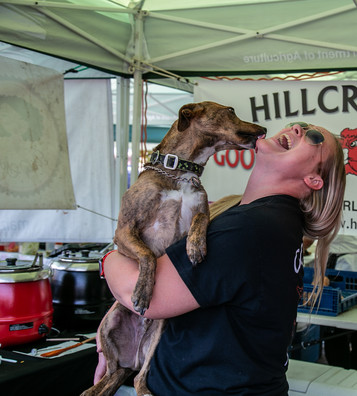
(122, 141)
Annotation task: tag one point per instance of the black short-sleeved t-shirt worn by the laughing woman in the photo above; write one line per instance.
(248, 288)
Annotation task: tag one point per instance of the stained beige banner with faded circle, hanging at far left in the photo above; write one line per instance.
(33, 143)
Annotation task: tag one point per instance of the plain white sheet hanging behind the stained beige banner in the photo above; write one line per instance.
(91, 153)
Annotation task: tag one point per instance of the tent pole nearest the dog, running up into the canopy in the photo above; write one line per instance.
(137, 100)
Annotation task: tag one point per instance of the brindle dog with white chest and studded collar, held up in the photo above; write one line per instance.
(166, 203)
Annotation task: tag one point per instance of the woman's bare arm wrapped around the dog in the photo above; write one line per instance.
(171, 297)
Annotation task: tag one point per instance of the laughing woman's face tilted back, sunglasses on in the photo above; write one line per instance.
(290, 153)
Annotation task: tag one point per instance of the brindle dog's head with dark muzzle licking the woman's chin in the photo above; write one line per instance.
(221, 127)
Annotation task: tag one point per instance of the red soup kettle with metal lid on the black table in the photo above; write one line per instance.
(25, 301)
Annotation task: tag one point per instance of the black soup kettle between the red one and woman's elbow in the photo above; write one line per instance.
(79, 295)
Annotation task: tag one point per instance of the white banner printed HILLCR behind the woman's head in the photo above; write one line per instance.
(273, 104)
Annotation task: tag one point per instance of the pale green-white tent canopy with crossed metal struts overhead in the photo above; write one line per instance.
(187, 38)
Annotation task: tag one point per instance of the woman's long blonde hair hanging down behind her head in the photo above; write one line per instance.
(322, 211)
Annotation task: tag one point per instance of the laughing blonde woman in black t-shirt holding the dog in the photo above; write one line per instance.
(231, 318)
